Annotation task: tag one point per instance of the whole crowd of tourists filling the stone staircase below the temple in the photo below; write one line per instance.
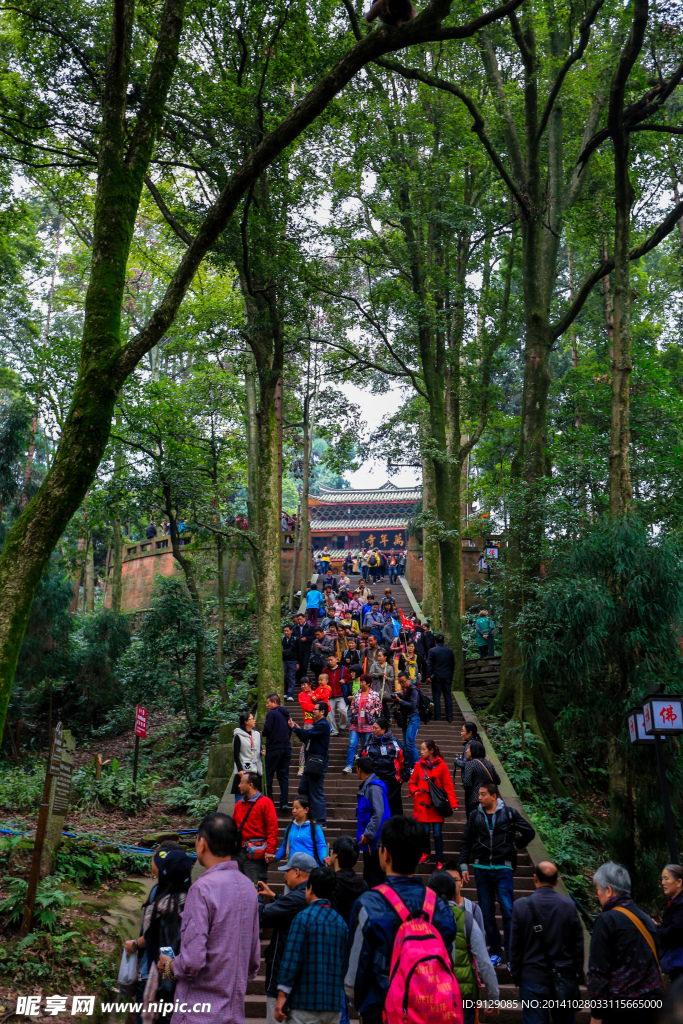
(382, 941)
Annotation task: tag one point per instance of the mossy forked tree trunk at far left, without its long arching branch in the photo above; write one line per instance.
(124, 157)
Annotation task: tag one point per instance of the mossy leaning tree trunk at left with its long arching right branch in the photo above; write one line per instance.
(126, 146)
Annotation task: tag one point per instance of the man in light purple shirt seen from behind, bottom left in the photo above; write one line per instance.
(220, 944)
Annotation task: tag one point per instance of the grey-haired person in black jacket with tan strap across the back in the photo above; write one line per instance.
(623, 968)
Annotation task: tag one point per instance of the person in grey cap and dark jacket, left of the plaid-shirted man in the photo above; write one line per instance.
(278, 913)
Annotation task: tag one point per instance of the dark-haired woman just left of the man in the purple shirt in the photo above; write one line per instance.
(161, 927)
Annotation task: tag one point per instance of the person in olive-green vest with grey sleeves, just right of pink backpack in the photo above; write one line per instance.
(472, 960)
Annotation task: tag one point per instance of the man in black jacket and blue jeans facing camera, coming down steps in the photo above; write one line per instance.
(493, 835)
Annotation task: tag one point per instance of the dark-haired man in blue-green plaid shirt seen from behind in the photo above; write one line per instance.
(311, 972)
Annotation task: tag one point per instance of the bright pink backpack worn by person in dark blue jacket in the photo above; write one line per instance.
(422, 987)
